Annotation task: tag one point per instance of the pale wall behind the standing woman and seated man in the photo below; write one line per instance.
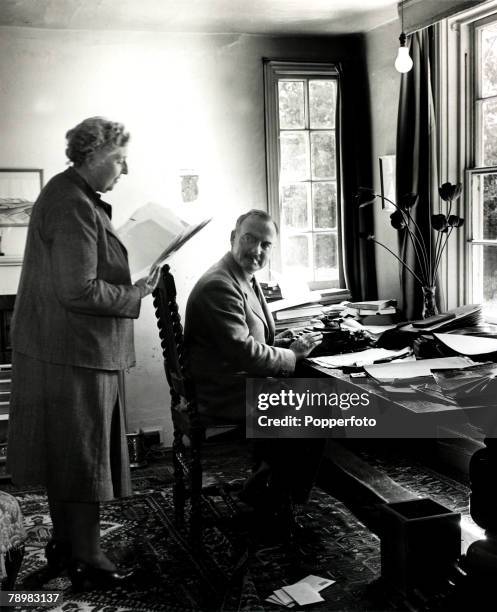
(190, 102)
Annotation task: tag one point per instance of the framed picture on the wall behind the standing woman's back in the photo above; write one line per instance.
(19, 188)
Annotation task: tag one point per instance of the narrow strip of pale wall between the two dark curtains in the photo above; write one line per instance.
(384, 81)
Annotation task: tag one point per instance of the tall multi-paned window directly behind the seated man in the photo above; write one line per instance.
(303, 169)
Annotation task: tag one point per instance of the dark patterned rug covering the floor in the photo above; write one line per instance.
(235, 571)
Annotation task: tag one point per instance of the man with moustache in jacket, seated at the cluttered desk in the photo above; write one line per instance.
(229, 333)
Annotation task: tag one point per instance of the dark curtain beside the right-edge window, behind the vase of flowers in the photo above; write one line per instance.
(417, 170)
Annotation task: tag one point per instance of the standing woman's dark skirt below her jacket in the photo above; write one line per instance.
(67, 431)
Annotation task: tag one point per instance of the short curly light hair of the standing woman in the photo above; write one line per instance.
(92, 135)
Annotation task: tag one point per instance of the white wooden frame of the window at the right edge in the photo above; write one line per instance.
(457, 127)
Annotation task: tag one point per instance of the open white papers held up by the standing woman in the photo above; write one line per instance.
(153, 233)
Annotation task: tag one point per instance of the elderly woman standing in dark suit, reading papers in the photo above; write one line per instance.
(72, 334)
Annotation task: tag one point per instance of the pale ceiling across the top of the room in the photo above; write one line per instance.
(220, 16)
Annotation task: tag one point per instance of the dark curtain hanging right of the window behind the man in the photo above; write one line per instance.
(356, 165)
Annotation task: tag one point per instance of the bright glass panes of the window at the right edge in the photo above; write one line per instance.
(482, 178)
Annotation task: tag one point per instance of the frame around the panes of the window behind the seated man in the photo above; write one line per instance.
(274, 70)
